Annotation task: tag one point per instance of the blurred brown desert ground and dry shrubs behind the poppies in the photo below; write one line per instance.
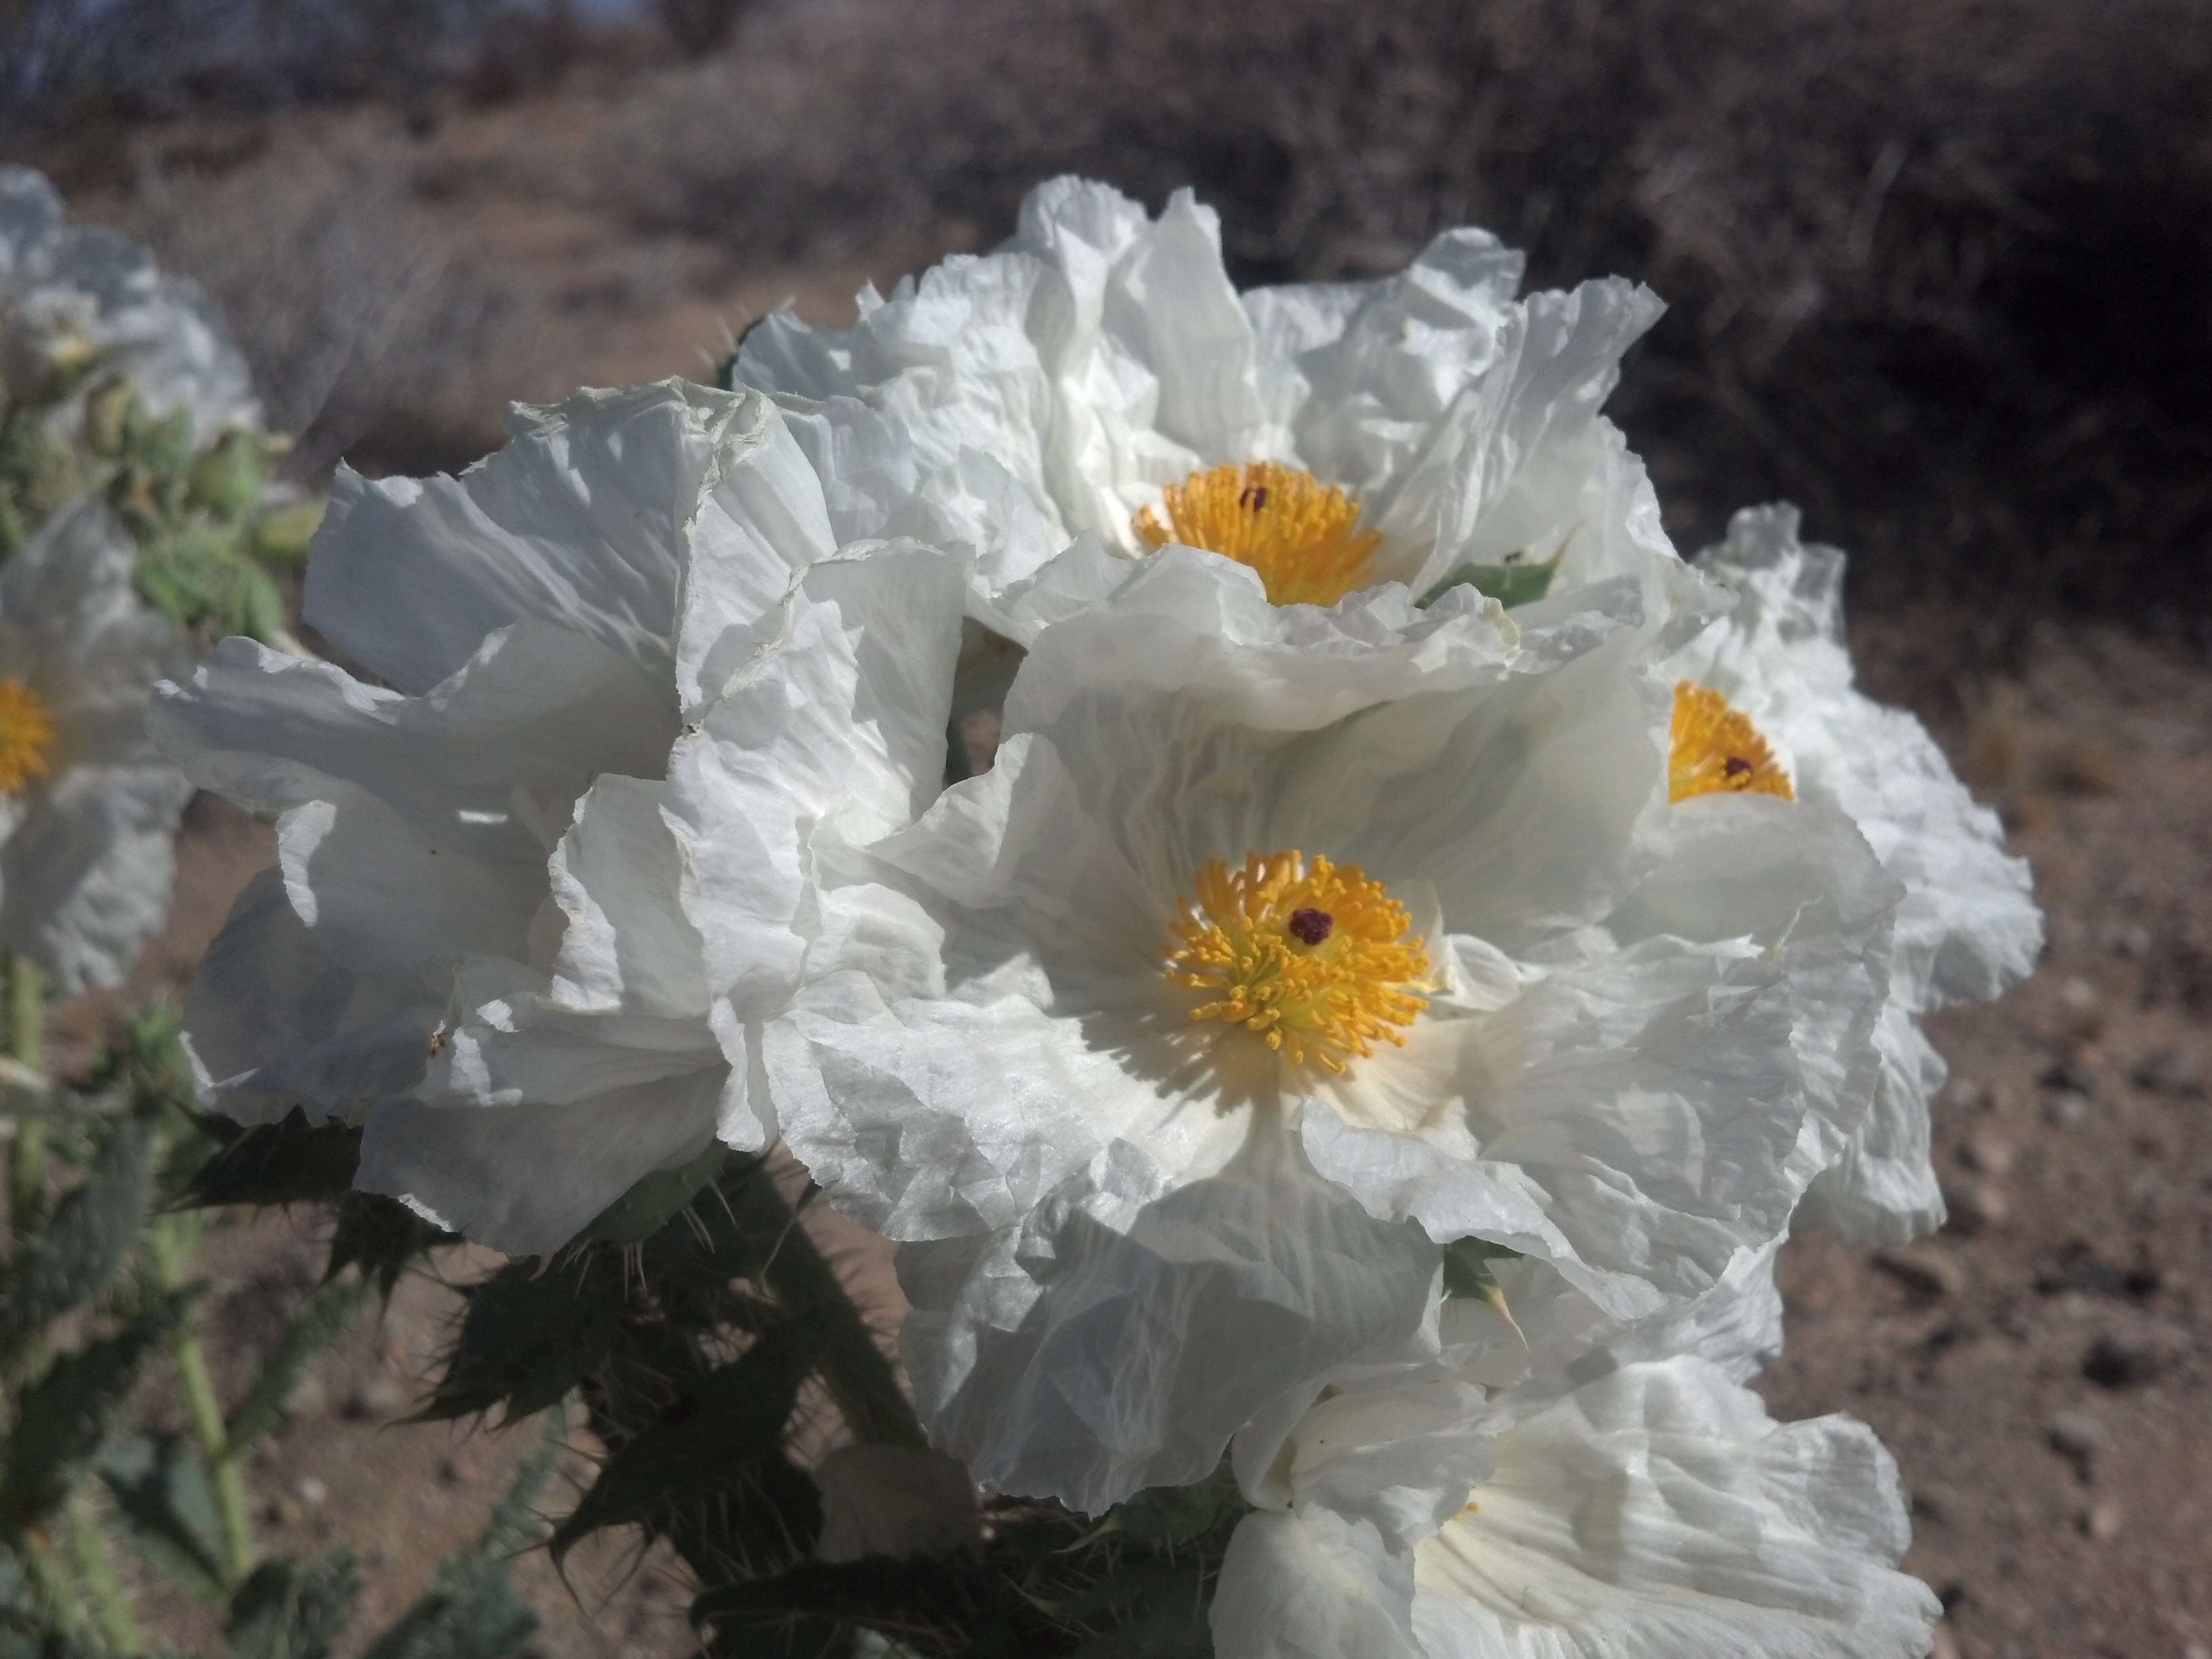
(1939, 271)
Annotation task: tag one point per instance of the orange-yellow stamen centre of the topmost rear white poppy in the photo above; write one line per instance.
(1300, 534)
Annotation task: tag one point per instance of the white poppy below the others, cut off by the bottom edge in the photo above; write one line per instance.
(1651, 1512)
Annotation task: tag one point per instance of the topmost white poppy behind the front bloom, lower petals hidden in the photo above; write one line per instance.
(1098, 388)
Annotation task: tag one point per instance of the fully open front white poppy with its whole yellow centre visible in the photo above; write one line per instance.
(1271, 932)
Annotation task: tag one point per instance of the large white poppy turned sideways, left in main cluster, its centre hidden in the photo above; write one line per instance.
(534, 897)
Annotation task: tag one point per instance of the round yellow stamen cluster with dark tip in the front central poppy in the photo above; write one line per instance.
(1317, 961)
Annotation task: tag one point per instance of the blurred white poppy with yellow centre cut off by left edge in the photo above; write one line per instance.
(87, 806)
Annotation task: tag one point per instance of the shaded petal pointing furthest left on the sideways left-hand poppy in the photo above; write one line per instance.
(417, 826)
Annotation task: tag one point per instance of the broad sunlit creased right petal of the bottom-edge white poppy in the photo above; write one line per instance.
(1660, 1512)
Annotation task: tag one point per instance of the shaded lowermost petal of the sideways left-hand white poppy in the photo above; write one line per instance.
(530, 1178)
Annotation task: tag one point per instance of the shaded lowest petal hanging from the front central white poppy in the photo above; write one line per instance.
(1123, 1333)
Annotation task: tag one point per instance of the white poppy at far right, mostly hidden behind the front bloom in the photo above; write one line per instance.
(1968, 926)
